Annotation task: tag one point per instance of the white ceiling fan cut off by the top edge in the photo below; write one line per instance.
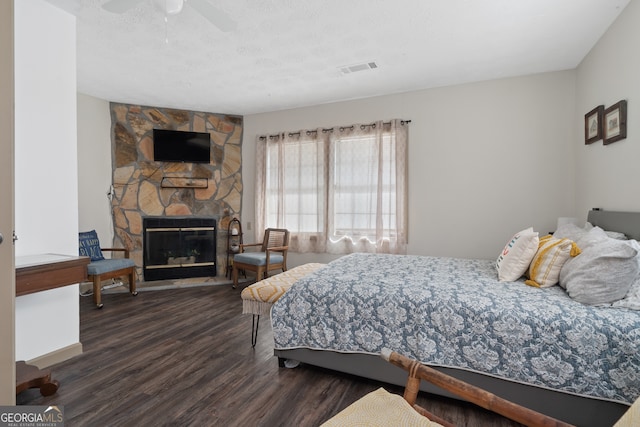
(172, 7)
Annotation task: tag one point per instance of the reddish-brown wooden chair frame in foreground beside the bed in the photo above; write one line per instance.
(417, 371)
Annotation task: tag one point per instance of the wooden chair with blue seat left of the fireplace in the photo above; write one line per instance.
(106, 269)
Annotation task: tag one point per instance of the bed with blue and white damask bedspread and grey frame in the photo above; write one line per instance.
(537, 347)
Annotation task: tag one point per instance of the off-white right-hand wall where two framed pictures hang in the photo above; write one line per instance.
(607, 176)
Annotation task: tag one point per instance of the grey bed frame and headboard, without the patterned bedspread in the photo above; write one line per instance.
(574, 409)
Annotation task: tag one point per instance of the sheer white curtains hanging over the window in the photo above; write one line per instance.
(338, 190)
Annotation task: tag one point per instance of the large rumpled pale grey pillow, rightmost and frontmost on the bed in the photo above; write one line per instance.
(603, 272)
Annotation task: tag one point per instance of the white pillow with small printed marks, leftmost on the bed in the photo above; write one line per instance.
(516, 256)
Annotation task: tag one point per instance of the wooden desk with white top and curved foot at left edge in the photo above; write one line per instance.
(37, 273)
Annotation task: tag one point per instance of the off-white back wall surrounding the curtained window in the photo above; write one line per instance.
(485, 159)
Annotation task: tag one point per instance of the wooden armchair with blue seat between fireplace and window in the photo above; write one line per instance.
(272, 255)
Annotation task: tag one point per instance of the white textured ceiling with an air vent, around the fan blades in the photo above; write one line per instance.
(288, 53)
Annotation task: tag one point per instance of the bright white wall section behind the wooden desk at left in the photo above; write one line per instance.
(46, 188)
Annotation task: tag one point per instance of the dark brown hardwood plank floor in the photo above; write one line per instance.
(183, 357)
